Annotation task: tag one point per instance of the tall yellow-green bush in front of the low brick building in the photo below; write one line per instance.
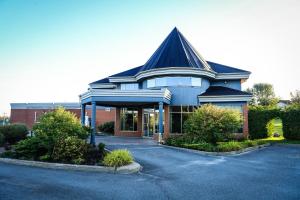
(59, 124)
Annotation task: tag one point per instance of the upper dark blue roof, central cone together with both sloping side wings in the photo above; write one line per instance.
(175, 51)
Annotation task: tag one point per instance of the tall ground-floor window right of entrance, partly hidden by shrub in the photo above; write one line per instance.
(178, 115)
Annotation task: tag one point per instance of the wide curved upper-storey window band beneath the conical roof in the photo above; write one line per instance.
(174, 81)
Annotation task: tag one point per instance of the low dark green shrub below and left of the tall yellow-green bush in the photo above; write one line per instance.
(31, 148)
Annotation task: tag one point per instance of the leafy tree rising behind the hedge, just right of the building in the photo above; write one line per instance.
(263, 94)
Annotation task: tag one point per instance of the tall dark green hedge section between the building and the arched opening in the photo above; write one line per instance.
(258, 118)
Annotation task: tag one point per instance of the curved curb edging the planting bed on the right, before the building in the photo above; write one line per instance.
(230, 153)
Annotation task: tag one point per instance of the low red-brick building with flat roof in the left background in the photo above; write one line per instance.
(29, 113)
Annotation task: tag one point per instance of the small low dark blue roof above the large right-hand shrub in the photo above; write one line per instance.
(221, 91)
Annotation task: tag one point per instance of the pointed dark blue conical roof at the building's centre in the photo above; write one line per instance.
(175, 51)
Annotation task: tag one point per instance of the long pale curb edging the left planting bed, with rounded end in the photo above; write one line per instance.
(128, 169)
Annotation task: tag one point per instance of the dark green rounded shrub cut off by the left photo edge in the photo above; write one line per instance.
(14, 132)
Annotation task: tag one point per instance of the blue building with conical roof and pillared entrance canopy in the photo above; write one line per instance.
(156, 98)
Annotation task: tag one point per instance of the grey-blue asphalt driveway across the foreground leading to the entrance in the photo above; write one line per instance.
(270, 173)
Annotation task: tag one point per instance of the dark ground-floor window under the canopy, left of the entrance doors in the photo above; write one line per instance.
(128, 119)
